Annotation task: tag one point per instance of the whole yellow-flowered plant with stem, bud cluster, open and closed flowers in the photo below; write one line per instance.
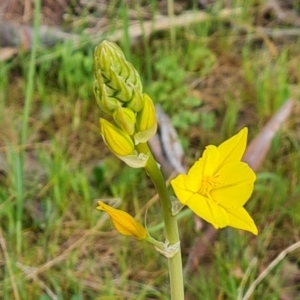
(215, 188)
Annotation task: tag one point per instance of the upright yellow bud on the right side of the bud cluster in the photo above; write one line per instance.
(146, 123)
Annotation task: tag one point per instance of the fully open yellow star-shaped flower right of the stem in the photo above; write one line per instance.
(218, 185)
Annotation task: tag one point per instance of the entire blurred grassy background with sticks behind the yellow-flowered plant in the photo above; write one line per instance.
(213, 66)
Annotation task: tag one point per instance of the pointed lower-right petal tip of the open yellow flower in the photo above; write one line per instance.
(239, 218)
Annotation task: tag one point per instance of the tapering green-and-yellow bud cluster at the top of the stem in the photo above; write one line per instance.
(119, 93)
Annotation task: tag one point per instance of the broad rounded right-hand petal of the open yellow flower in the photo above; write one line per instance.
(236, 185)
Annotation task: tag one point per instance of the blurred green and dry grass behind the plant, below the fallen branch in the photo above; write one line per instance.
(211, 82)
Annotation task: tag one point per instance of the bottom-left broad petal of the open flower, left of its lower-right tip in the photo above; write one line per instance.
(208, 210)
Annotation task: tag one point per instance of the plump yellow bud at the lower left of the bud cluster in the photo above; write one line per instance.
(117, 140)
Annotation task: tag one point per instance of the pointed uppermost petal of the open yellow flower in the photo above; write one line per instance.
(233, 149)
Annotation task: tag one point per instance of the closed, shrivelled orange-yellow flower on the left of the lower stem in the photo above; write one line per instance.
(123, 222)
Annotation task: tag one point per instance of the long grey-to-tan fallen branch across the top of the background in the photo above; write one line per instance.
(15, 35)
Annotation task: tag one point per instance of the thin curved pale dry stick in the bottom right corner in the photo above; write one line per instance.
(271, 266)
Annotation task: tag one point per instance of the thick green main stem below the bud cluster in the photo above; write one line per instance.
(170, 222)
